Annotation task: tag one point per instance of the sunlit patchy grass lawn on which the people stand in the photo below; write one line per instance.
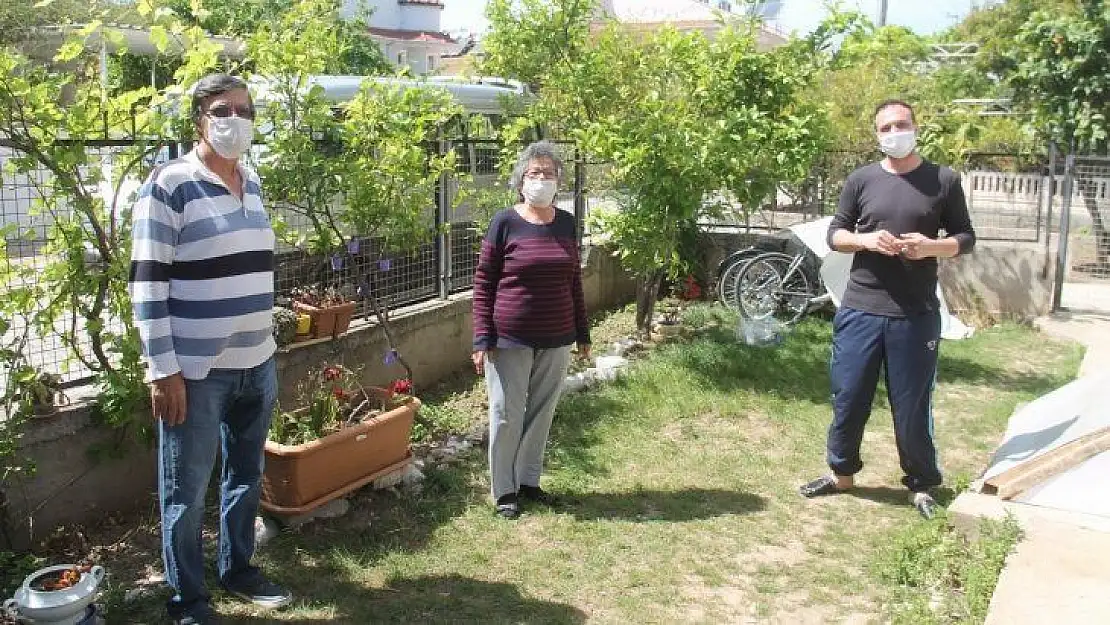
(683, 507)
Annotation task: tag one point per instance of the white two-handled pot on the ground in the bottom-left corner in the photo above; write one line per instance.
(55, 608)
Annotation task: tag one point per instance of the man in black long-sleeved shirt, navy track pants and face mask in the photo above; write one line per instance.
(891, 216)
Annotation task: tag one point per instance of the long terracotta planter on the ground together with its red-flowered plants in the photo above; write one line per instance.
(344, 437)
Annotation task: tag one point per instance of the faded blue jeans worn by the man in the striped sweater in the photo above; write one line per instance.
(228, 411)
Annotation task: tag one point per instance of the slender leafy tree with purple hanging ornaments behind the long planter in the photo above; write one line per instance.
(366, 196)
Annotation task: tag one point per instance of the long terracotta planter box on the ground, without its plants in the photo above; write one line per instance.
(302, 478)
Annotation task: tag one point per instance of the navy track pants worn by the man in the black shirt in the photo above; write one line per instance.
(906, 349)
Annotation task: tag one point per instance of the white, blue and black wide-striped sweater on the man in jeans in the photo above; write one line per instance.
(201, 273)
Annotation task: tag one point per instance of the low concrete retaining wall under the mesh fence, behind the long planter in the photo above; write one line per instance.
(72, 488)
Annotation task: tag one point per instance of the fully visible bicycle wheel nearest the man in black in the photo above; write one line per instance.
(774, 285)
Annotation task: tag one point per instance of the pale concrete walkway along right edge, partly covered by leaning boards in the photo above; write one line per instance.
(1059, 572)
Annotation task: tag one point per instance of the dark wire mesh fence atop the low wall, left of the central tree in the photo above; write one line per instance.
(445, 265)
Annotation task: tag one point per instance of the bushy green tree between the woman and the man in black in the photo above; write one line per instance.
(683, 120)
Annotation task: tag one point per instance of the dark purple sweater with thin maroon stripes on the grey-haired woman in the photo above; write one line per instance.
(528, 288)
